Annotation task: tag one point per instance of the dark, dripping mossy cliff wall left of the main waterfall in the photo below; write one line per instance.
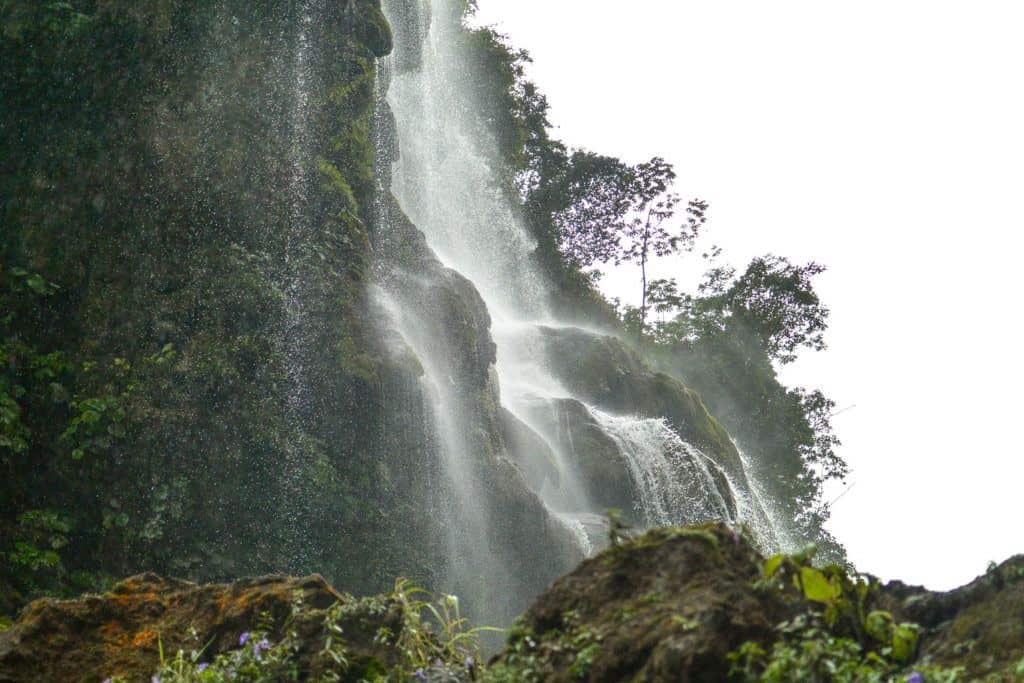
(152, 175)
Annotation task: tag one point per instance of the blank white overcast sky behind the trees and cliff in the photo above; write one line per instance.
(884, 140)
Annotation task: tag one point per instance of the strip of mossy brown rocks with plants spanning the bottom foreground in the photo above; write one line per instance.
(675, 605)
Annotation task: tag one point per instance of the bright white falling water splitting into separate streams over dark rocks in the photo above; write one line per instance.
(443, 177)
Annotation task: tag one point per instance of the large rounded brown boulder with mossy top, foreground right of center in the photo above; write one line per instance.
(668, 607)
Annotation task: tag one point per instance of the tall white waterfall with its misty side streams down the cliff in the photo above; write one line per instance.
(442, 173)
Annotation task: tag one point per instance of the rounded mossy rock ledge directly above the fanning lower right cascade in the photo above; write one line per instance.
(607, 373)
